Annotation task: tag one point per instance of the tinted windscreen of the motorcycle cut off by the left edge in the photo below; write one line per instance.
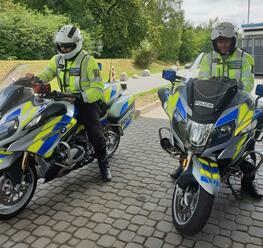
(13, 95)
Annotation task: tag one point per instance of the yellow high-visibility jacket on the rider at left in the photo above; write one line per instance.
(79, 75)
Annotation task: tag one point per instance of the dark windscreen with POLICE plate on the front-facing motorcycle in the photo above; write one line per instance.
(209, 98)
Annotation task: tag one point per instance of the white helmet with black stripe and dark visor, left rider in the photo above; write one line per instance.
(69, 37)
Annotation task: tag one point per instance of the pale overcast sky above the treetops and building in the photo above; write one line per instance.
(200, 11)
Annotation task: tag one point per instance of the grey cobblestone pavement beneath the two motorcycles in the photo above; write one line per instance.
(134, 210)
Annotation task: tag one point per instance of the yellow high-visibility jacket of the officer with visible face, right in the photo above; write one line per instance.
(239, 65)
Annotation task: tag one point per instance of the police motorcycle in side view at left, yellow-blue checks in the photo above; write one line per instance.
(40, 137)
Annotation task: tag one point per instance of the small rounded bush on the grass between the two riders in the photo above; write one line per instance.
(145, 54)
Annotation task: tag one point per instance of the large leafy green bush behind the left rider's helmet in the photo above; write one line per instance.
(25, 34)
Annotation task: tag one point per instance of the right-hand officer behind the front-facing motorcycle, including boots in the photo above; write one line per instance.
(227, 60)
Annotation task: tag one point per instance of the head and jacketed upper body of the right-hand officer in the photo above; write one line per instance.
(227, 60)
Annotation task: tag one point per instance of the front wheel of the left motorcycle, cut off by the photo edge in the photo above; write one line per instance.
(15, 197)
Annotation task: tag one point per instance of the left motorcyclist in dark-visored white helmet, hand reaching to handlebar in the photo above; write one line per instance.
(78, 73)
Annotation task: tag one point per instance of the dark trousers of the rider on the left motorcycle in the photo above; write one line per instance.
(90, 118)
